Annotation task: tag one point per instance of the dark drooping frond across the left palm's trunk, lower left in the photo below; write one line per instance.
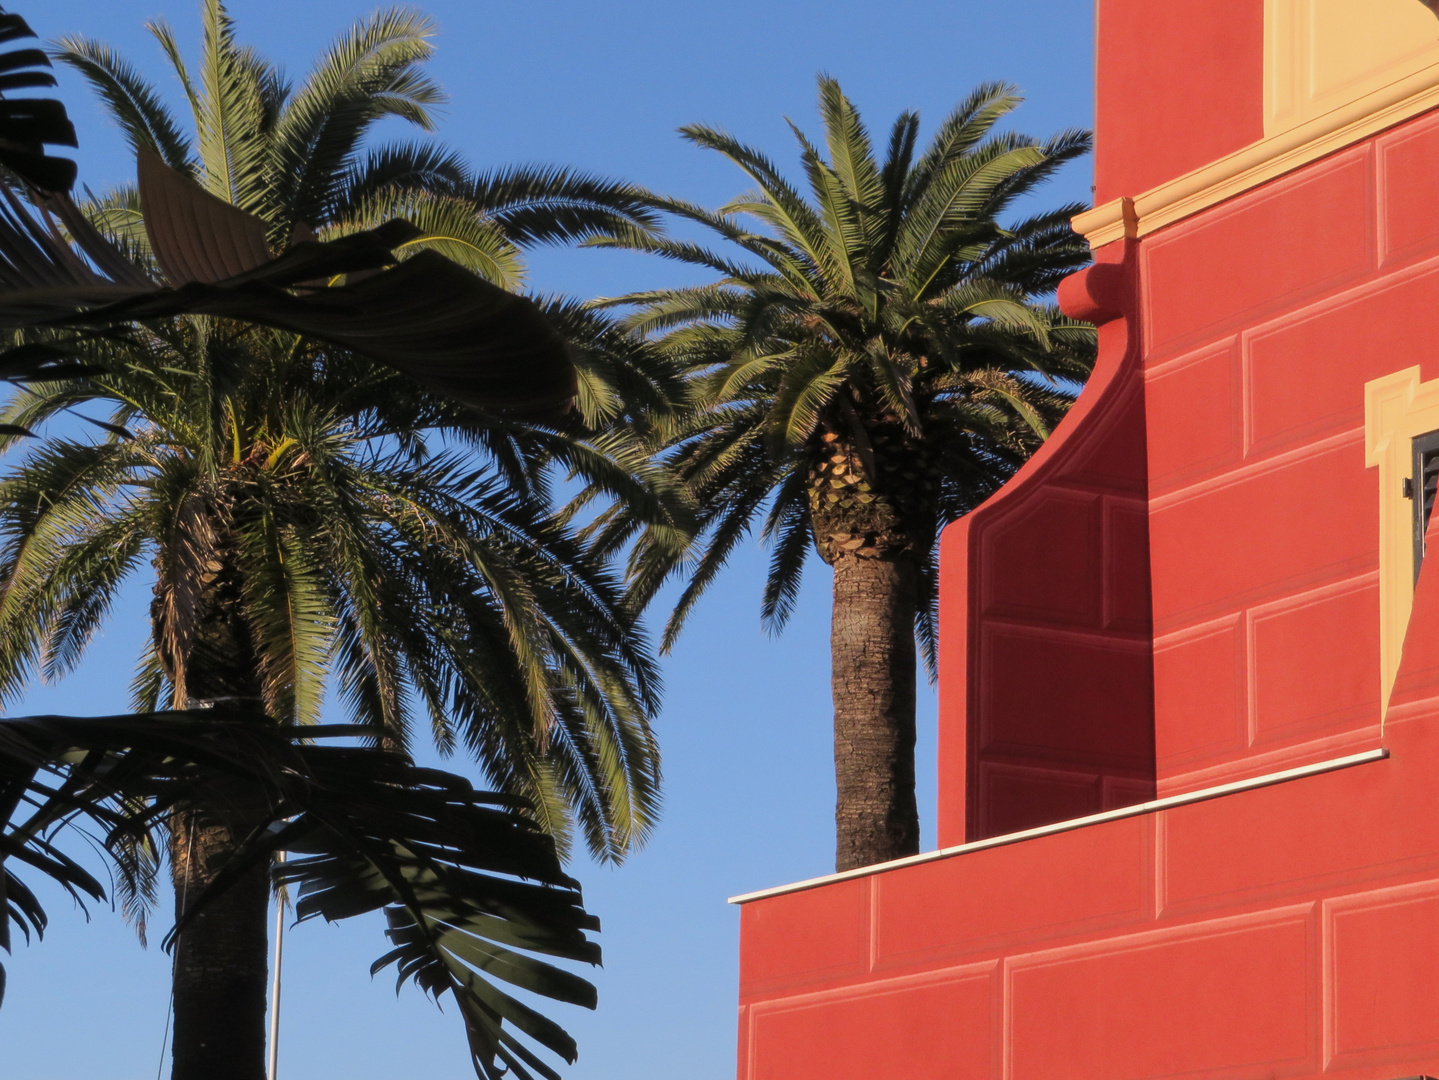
(473, 892)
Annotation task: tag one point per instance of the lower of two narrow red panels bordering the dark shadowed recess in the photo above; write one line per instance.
(1199, 695)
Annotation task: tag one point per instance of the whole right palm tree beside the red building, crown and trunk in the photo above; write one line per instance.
(870, 366)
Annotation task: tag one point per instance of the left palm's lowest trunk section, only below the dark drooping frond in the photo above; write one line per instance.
(222, 958)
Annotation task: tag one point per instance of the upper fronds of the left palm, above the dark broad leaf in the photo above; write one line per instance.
(297, 157)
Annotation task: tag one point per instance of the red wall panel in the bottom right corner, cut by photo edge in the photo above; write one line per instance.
(1384, 969)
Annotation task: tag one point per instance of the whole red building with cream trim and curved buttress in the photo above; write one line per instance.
(1189, 738)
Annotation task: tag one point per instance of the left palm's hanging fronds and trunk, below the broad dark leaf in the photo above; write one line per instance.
(303, 528)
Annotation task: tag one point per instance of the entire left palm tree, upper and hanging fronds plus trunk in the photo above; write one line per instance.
(312, 516)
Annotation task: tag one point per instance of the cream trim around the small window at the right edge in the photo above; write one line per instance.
(1397, 409)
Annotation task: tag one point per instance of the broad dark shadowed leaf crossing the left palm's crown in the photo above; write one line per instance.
(427, 317)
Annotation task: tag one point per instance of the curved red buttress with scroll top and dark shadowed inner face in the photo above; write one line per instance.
(1047, 710)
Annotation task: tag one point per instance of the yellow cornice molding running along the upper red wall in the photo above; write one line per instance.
(1263, 162)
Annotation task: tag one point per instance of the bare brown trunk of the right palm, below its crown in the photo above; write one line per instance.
(873, 678)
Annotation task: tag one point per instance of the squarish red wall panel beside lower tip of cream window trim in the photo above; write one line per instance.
(1316, 662)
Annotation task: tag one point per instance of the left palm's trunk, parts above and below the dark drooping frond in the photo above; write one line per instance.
(222, 957)
